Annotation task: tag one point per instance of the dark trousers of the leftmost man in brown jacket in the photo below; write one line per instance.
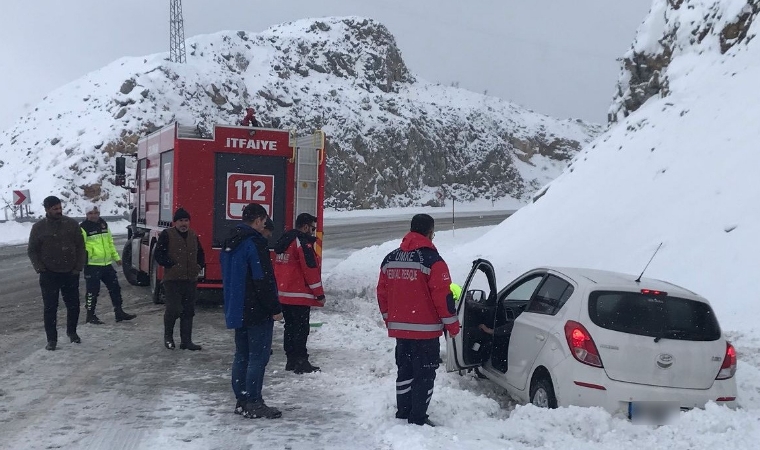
(67, 285)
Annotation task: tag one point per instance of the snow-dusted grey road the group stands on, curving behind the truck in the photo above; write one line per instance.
(121, 389)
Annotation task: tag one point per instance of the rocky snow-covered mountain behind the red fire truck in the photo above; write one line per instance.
(393, 139)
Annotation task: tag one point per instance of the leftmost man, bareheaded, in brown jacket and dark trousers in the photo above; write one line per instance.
(57, 252)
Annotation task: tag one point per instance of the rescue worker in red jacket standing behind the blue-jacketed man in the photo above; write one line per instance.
(299, 283)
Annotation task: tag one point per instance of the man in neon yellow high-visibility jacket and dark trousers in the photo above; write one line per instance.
(101, 252)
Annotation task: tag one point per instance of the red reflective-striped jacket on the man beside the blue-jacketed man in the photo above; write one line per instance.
(298, 270)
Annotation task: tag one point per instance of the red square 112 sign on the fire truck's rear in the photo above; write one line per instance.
(245, 188)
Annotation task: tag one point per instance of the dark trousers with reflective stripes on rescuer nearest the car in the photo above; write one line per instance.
(417, 361)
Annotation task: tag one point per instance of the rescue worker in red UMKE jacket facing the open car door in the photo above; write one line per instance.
(417, 305)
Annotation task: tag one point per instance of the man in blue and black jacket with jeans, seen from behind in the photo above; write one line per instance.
(250, 308)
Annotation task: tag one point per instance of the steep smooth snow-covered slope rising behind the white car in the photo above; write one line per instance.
(681, 170)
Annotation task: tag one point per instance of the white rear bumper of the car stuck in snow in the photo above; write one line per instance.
(581, 385)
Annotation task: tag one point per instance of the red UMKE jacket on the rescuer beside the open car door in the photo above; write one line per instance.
(413, 291)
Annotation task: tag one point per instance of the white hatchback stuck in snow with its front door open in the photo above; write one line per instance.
(570, 336)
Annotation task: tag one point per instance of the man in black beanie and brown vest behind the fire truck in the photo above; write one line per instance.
(179, 251)
